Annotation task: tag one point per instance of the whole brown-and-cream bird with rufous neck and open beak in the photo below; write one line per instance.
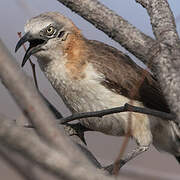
(90, 76)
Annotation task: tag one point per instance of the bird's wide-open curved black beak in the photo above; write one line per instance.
(35, 46)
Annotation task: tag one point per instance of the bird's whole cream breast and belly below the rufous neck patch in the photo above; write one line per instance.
(88, 94)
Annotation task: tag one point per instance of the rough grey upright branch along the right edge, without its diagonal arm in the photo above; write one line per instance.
(167, 59)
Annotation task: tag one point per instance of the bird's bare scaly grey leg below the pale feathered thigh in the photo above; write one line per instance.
(119, 163)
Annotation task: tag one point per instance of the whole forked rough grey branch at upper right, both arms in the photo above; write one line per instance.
(139, 44)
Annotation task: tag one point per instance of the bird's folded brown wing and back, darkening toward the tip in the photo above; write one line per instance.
(124, 77)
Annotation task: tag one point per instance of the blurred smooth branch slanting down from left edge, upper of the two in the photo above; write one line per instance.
(27, 97)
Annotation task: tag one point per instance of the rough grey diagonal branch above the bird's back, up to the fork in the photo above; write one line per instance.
(114, 26)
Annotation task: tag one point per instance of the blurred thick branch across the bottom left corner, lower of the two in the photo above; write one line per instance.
(46, 156)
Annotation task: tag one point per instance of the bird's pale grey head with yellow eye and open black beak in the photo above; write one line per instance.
(45, 33)
